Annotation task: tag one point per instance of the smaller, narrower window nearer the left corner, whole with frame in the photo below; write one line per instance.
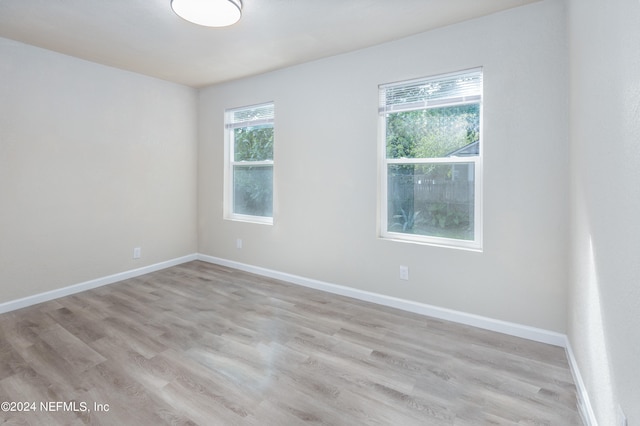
(249, 163)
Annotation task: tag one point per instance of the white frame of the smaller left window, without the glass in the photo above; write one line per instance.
(230, 163)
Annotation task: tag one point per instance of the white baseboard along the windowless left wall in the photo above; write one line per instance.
(88, 285)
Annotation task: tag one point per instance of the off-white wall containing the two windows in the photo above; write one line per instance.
(326, 170)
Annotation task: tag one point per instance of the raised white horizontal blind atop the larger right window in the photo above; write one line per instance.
(447, 89)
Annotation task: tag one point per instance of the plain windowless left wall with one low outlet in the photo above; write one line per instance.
(94, 161)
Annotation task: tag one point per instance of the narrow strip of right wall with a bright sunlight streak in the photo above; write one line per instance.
(604, 308)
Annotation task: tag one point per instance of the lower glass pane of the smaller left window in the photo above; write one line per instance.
(253, 190)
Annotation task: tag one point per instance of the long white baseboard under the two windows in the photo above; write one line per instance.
(513, 329)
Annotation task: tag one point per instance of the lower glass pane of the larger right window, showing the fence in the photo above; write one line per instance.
(431, 199)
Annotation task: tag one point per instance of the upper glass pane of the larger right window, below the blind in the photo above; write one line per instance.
(434, 132)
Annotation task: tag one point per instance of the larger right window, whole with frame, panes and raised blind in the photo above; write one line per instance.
(432, 160)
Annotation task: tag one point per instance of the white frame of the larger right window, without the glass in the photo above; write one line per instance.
(384, 163)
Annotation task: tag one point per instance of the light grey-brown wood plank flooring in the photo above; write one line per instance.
(207, 345)
